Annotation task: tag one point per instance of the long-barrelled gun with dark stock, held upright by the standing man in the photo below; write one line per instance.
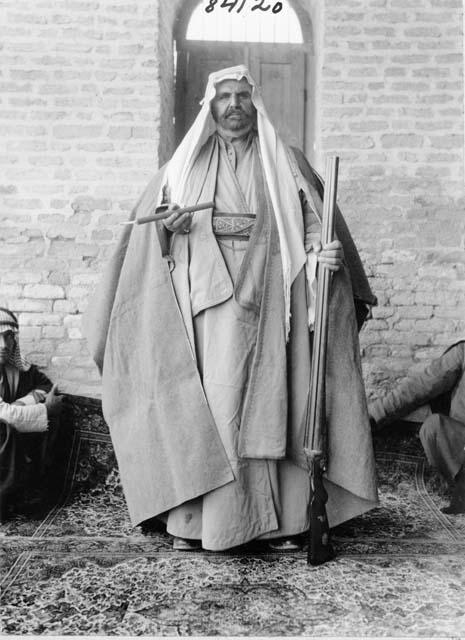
(320, 549)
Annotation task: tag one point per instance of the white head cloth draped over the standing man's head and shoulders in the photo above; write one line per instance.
(279, 175)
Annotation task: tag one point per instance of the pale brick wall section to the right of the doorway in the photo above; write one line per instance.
(392, 108)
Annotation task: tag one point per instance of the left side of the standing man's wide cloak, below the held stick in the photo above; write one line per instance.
(160, 423)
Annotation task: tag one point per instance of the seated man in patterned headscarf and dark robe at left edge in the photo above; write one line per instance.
(28, 405)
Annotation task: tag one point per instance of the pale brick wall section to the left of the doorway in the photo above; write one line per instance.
(79, 120)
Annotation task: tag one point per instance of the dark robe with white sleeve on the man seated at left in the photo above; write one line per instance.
(22, 412)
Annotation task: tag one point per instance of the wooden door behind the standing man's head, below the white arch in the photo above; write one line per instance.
(279, 69)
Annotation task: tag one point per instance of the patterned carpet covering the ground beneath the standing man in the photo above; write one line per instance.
(79, 568)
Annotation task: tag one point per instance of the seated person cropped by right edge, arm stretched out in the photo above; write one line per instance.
(442, 436)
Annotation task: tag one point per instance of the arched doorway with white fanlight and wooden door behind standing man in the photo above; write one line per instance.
(273, 46)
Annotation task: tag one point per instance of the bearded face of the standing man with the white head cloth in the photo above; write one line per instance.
(232, 107)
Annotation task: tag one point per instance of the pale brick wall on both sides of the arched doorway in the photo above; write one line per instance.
(86, 108)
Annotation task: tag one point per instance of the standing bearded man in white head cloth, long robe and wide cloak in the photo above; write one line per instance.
(201, 331)
